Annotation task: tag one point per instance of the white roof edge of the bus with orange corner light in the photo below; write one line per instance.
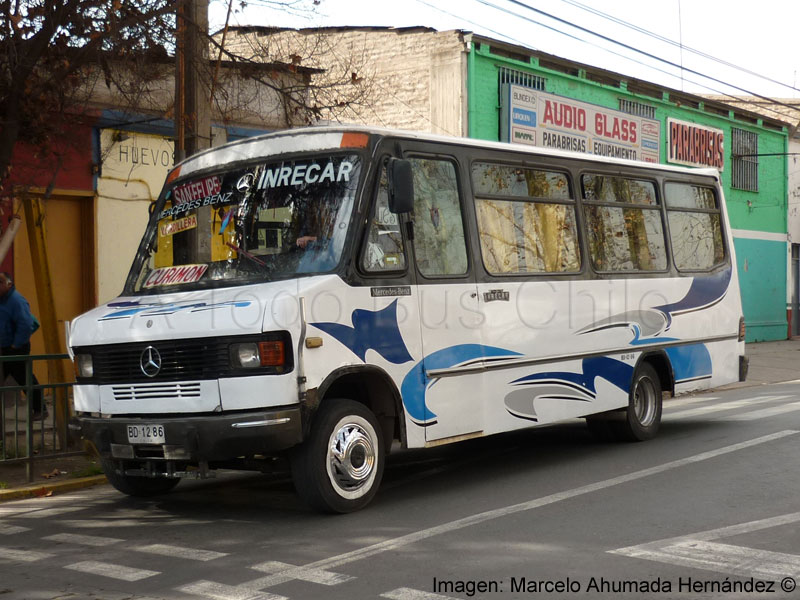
(330, 137)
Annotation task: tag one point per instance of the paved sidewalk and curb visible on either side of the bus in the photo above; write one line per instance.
(770, 362)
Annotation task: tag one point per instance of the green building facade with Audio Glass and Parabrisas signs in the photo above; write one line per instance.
(681, 128)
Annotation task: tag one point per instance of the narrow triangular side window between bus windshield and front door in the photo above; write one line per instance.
(384, 248)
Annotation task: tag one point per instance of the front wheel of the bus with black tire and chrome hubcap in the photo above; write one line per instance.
(339, 467)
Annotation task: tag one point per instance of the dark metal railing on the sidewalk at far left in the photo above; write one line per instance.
(26, 439)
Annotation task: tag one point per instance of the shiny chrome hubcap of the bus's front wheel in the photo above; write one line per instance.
(351, 457)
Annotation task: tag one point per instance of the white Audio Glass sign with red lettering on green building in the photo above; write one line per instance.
(549, 121)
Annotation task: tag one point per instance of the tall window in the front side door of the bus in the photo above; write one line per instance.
(439, 244)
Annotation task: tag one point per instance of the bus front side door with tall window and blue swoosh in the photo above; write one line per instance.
(445, 385)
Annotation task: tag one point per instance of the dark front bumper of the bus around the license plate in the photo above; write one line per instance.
(196, 439)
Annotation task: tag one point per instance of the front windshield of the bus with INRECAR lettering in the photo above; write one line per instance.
(268, 221)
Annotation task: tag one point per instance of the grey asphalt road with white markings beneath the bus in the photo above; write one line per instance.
(709, 509)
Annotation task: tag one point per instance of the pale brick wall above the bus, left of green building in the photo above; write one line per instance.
(415, 78)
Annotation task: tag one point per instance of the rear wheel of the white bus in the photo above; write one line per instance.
(642, 418)
